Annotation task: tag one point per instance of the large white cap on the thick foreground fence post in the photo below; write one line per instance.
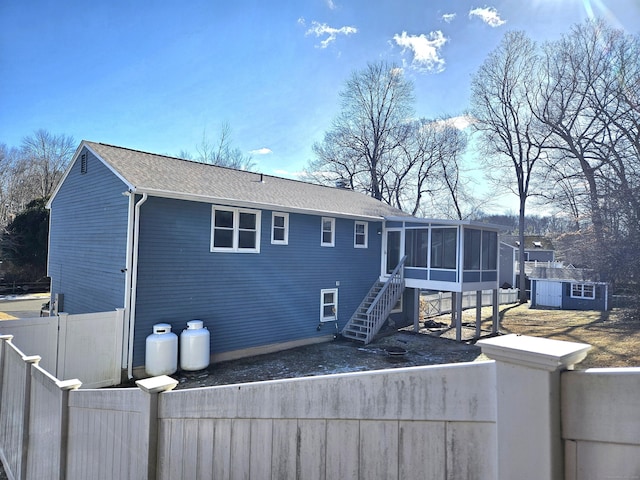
(534, 352)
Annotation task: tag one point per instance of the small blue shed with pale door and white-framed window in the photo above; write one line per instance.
(568, 289)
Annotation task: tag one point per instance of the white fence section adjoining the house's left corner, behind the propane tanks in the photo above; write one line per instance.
(86, 346)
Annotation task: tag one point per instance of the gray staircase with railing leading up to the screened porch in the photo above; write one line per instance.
(376, 306)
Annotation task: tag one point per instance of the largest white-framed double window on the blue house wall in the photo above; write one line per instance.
(235, 230)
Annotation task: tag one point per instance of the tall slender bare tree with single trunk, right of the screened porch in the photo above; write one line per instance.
(503, 90)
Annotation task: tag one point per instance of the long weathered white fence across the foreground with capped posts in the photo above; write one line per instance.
(521, 416)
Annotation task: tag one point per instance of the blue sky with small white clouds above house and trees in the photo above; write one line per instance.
(155, 75)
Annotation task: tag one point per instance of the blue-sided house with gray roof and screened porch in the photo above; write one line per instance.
(266, 263)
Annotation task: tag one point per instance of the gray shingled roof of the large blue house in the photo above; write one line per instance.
(176, 178)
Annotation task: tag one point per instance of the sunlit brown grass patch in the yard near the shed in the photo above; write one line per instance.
(613, 335)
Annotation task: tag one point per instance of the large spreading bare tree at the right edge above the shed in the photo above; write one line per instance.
(589, 102)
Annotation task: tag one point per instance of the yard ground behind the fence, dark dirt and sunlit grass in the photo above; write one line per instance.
(614, 335)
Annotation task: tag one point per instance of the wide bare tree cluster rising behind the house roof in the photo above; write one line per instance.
(376, 147)
